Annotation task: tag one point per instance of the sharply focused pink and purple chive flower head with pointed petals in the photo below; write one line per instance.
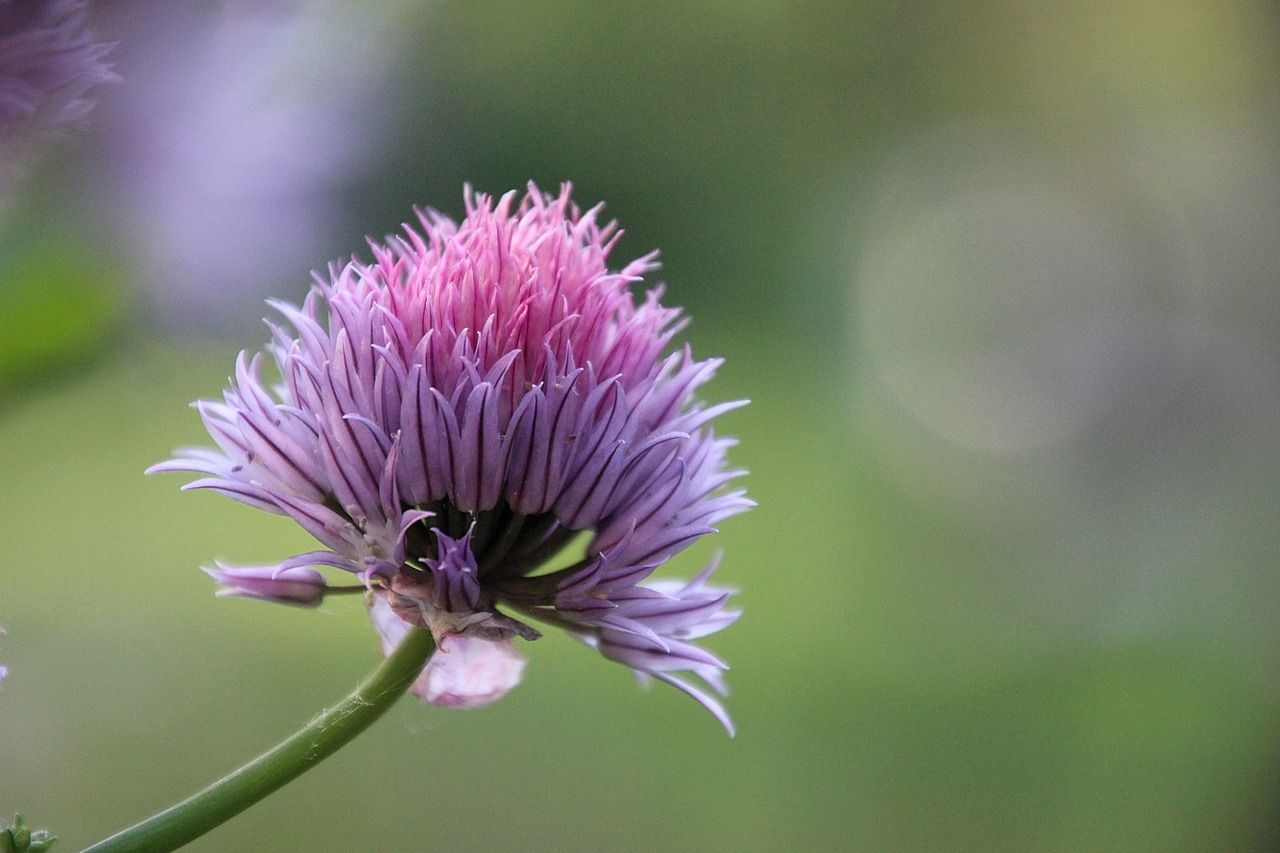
(454, 414)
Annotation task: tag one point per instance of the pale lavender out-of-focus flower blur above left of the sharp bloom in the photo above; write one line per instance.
(228, 156)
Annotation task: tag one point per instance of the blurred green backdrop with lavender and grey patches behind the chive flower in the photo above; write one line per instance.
(1000, 280)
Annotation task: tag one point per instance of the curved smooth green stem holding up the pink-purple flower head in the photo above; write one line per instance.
(324, 736)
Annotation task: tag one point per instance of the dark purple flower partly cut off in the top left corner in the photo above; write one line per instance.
(48, 63)
